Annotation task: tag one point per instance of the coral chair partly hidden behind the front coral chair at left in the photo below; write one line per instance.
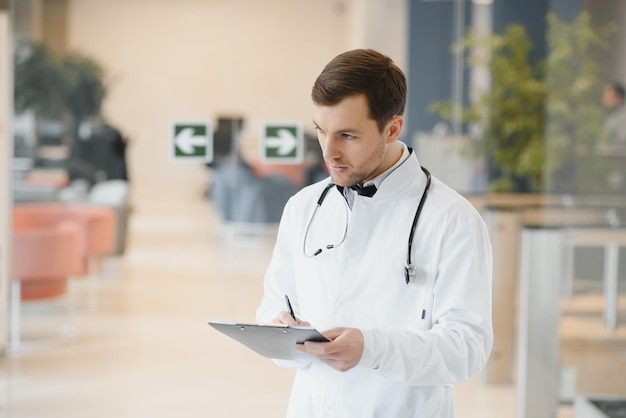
(98, 226)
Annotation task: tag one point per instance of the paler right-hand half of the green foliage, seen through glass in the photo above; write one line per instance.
(575, 117)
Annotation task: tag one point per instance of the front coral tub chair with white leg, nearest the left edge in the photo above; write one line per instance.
(43, 258)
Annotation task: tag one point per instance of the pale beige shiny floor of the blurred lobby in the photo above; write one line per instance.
(147, 351)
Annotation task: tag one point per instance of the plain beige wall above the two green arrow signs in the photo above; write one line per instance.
(197, 59)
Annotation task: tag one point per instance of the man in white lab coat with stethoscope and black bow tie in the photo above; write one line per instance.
(398, 342)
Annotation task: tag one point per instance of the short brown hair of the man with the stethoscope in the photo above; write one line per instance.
(363, 71)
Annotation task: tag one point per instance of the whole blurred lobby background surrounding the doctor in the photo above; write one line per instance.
(141, 189)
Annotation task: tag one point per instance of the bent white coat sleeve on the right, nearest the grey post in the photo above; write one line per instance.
(460, 340)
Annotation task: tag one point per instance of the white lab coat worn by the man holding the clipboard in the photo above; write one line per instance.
(408, 364)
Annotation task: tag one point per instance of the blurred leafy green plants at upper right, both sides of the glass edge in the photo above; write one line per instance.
(537, 112)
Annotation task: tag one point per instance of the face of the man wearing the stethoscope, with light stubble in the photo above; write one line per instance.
(354, 150)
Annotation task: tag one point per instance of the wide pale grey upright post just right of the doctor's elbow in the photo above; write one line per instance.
(538, 377)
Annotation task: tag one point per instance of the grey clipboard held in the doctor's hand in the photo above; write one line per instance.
(271, 341)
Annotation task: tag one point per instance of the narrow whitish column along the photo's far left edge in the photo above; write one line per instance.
(6, 153)
